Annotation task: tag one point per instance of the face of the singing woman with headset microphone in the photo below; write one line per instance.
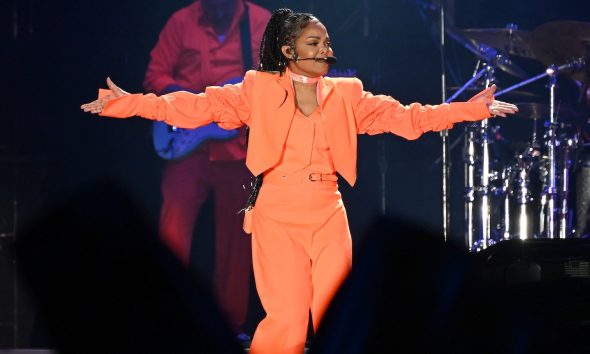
(313, 42)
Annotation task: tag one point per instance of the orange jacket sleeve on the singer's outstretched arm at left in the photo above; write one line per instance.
(228, 106)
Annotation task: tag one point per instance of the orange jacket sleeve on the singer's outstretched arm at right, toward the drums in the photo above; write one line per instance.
(376, 114)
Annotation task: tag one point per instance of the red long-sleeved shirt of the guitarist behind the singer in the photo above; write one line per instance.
(189, 54)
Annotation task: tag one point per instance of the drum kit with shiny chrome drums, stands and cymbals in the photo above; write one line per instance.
(537, 181)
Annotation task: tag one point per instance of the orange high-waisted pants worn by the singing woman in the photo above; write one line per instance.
(302, 251)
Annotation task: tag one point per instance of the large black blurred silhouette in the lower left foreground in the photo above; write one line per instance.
(104, 283)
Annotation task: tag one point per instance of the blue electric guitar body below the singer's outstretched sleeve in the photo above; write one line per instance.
(172, 143)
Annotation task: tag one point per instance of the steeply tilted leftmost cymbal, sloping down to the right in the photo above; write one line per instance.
(487, 53)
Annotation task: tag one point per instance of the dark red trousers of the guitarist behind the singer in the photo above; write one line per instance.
(186, 184)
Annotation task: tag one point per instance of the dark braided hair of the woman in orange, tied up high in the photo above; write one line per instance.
(282, 29)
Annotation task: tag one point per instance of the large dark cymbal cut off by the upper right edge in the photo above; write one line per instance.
(558, 42)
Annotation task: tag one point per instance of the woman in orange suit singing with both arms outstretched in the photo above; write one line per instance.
(303, 129)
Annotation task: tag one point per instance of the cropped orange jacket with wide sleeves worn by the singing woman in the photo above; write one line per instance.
(266, 103)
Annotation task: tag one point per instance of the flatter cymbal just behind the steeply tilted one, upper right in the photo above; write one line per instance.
(509, 41)
